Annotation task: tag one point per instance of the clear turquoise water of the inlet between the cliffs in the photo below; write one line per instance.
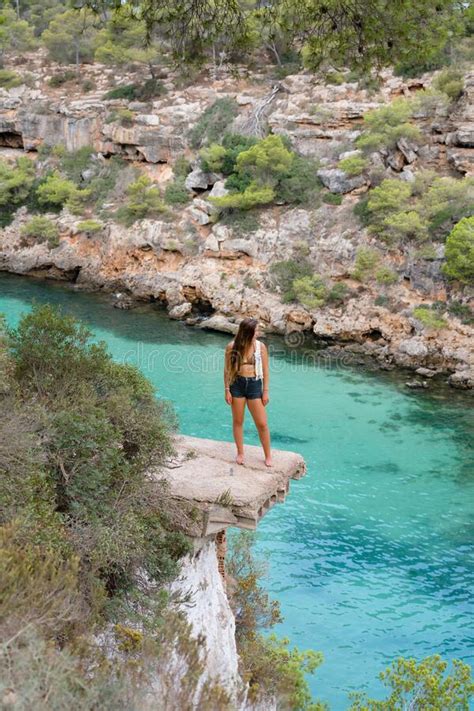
(371, 556)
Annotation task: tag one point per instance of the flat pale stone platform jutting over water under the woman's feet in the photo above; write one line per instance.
(204, 479)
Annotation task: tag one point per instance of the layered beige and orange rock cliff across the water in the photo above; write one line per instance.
(200, 268)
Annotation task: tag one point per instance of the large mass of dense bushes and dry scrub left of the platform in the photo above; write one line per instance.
(78, 519)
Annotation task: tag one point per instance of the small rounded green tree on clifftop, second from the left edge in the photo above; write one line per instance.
(70, 37)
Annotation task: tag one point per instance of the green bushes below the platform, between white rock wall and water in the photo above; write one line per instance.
(267, 663)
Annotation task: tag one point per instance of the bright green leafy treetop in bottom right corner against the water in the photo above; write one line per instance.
(420, 685)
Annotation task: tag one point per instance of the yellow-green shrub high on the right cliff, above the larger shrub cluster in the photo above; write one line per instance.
(385, 126)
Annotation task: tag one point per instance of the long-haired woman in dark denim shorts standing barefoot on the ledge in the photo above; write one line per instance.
(246, 380)
